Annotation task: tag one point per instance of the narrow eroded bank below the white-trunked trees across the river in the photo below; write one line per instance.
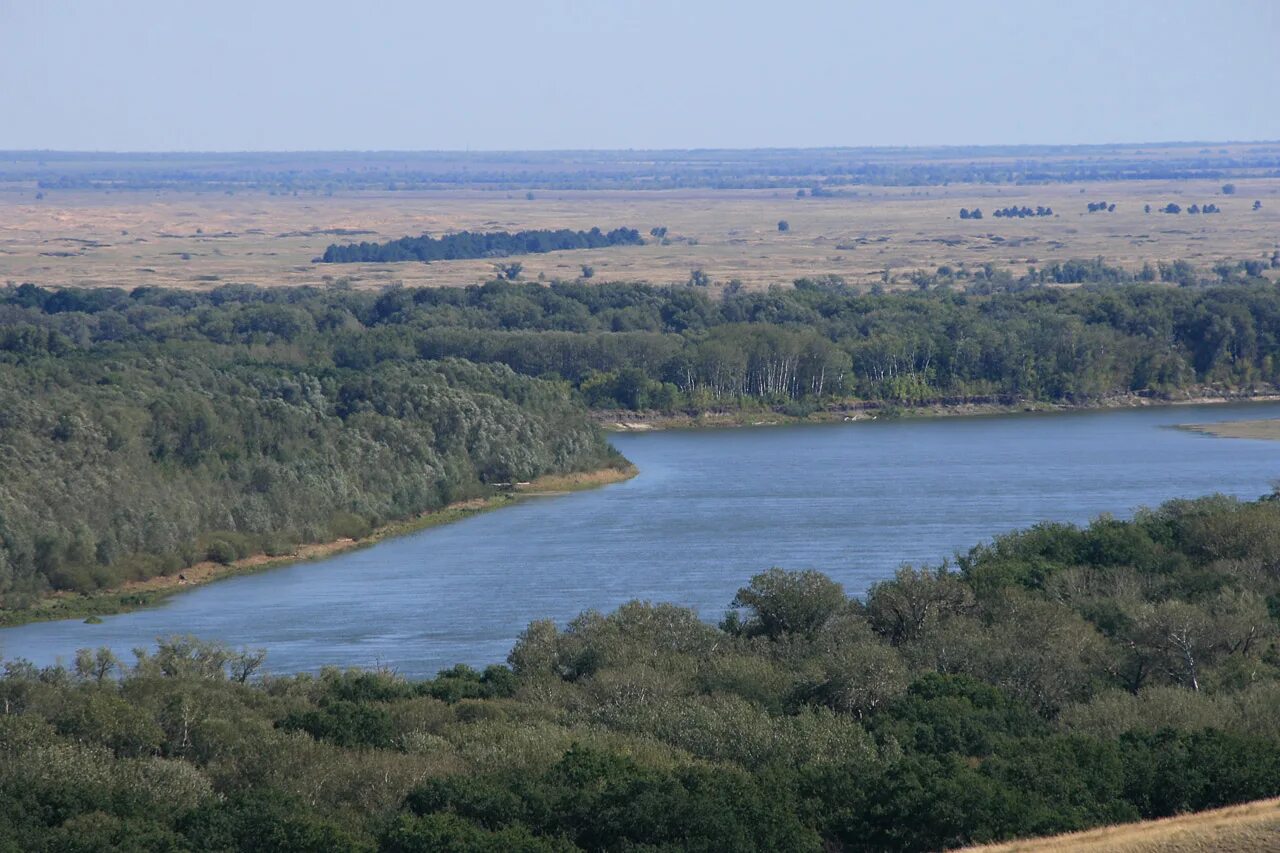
(852, 412)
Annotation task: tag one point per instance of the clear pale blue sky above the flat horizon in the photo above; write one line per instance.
(529, 75)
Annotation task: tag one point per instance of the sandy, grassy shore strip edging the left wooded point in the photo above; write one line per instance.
(147, 594)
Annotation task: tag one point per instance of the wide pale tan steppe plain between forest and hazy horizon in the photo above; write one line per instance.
(203, 240)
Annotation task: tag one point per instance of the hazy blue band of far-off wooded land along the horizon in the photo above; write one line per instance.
(522, 171)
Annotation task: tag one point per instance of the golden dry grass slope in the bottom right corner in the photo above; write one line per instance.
(1252, 828)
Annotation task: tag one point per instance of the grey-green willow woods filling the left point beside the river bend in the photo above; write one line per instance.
(130, 449)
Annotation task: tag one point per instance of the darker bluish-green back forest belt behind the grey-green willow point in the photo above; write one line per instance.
(961, 334)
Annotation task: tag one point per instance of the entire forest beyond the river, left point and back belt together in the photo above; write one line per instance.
(144, 431)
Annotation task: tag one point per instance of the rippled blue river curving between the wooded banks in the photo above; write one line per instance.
(708, 510)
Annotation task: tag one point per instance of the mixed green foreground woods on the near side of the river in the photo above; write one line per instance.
(1055, 679)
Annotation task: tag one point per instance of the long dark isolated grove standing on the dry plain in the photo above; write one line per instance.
(465, 245)
